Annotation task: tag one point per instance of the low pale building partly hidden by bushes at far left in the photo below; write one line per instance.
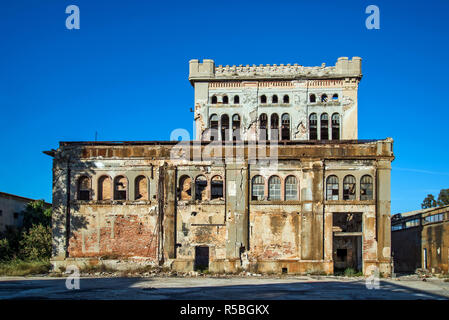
(10, 207)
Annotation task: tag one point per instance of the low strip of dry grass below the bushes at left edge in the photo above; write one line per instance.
(24, 268)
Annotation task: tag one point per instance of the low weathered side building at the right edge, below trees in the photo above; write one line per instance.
(420, 240)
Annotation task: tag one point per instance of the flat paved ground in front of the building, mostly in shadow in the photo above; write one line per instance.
(232, 288)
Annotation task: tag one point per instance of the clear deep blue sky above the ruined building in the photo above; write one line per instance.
(124, 74)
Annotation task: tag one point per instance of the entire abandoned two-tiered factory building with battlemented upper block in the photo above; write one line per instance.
(275, 181)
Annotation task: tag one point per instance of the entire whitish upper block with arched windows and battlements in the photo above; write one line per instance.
(267, 102)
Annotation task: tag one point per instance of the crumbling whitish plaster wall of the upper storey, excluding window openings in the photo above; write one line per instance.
(250, 83)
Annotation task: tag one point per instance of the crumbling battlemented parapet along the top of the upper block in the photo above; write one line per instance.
(208, 71)
